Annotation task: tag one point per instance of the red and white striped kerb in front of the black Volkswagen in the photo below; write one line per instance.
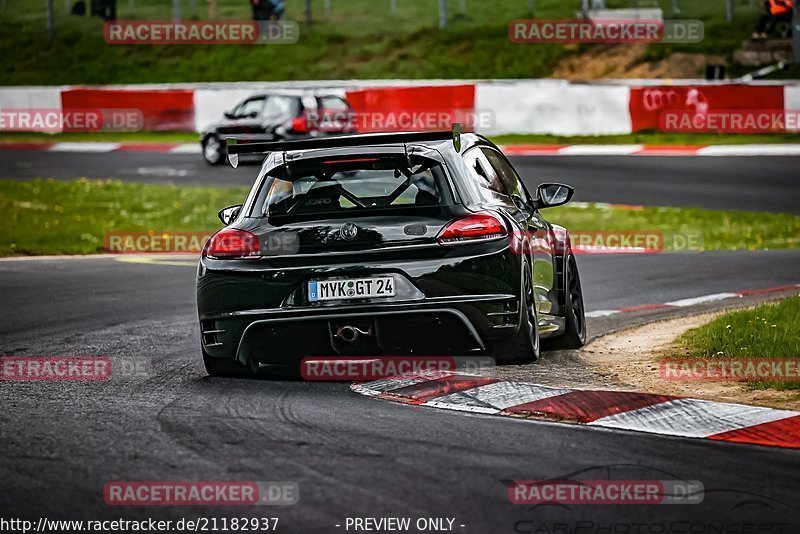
(621, 410)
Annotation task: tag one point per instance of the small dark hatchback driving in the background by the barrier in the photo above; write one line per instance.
(275, 117)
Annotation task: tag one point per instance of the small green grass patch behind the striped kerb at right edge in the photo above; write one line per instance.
(768, 331)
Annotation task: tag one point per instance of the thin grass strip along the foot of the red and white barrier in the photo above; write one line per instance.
(644, 138)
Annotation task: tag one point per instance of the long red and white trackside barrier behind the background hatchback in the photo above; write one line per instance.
(554, 107)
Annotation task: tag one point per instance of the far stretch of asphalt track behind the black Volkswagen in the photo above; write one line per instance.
(743, 183)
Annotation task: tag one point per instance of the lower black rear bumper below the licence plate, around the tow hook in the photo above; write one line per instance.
(433, 327)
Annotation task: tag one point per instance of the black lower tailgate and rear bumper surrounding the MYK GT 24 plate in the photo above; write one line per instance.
(454, 304)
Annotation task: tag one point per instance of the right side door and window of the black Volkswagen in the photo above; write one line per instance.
(537, 230)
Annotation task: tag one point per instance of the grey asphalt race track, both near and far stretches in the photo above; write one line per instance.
(162, 418)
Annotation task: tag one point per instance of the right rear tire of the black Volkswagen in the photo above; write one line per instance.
(523, 347)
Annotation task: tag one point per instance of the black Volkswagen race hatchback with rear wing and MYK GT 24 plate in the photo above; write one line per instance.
(386, 244)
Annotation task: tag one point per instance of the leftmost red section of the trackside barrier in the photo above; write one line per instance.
(160, 109)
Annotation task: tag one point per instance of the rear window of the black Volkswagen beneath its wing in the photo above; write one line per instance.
(352, 186)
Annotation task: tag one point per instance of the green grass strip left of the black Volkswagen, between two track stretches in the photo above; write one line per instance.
(47, 217)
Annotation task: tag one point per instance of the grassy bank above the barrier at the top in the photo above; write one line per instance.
(359, 40)
